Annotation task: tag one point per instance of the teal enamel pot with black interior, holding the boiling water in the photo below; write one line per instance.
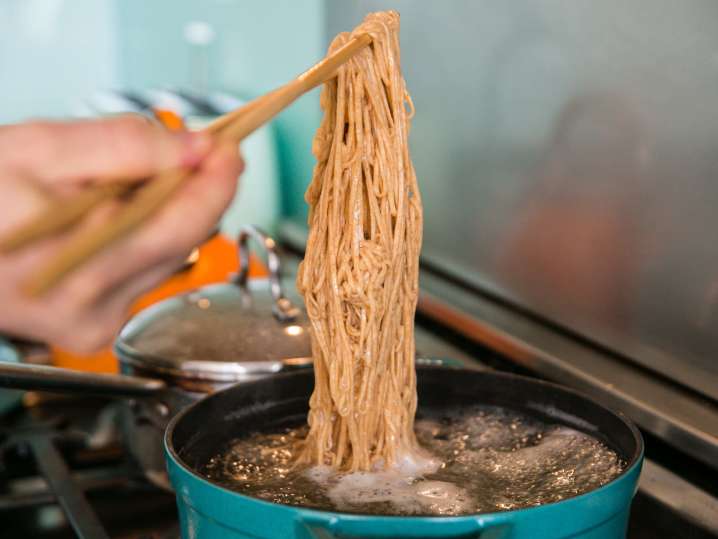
(209, 511)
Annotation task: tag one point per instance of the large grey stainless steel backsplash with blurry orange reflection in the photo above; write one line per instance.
(567, 155)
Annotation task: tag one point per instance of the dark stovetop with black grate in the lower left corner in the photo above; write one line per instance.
(63, 457)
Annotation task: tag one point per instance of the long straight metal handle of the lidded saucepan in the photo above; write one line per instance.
(56, 379)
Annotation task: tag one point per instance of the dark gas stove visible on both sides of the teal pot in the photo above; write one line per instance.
(64, 472)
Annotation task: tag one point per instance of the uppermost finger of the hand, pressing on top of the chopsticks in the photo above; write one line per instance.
(122, 147)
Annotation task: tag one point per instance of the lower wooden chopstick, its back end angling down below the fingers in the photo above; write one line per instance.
(230, 128)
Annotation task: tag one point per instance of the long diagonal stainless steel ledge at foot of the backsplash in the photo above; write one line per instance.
(685, 419)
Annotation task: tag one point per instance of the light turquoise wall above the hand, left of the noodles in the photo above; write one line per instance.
(258, 45)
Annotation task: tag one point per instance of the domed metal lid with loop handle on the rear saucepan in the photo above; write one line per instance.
(225, 332)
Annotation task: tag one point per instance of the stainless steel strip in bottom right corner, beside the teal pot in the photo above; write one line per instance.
(672, 491)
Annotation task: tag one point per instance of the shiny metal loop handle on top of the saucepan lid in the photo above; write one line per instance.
(282, 309)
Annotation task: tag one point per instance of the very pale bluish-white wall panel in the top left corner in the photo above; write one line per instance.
(53, 52)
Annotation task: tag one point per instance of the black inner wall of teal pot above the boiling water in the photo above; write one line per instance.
(205, 428)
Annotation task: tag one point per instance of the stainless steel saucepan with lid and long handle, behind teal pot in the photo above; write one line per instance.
(181, 349)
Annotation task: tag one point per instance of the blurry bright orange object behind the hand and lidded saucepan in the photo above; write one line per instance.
(215, 260)
